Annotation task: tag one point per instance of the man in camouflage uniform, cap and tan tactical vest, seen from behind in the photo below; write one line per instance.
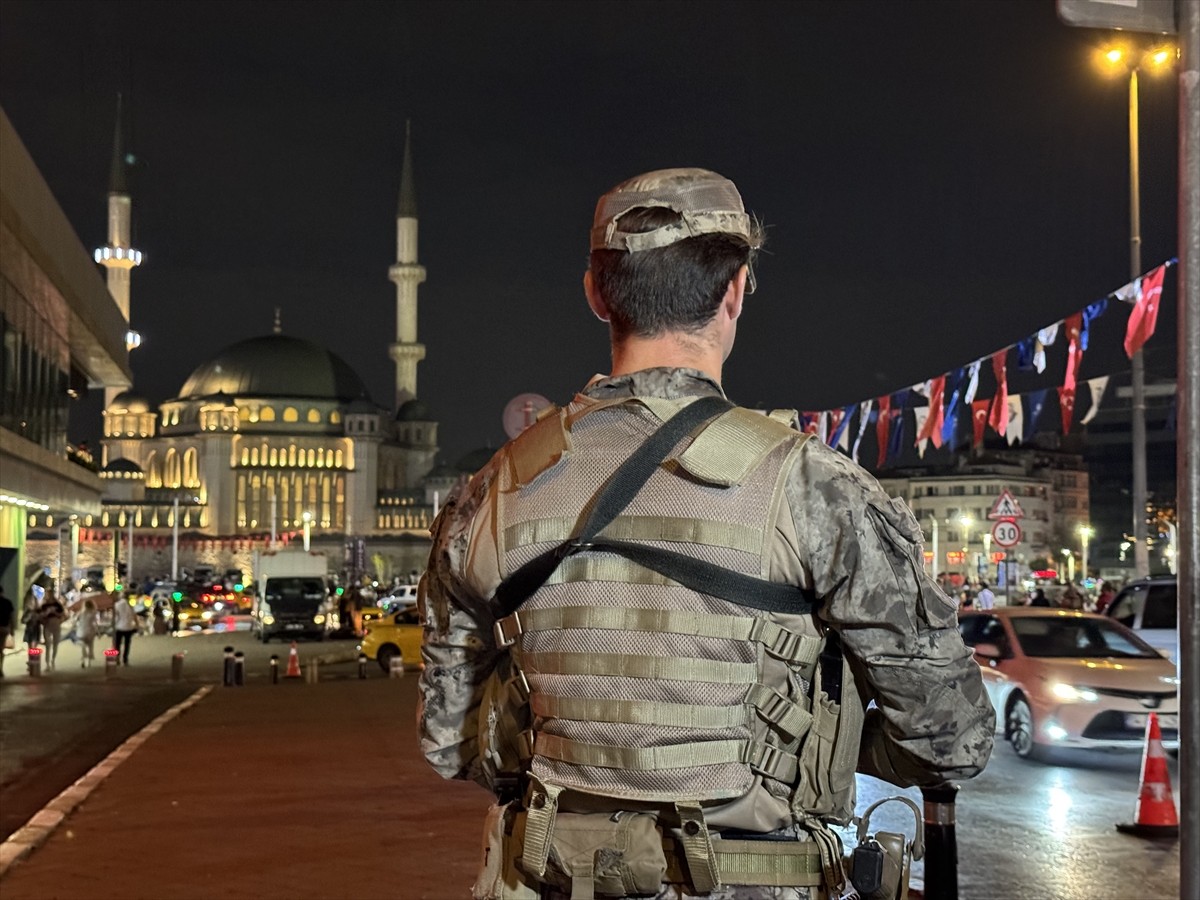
(664, 631)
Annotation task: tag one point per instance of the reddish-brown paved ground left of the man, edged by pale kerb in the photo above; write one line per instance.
(269, 791)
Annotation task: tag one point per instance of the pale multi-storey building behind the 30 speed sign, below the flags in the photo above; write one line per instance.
(952, 505)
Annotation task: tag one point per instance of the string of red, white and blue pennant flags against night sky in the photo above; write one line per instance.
(952, 395)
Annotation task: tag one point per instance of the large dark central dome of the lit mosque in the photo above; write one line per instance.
(275, 367)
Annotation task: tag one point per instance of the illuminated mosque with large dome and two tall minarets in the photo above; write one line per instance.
(272, 440)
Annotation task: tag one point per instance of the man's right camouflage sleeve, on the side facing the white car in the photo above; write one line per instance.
(932, 718)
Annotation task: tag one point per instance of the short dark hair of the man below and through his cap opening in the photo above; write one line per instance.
(674, 289)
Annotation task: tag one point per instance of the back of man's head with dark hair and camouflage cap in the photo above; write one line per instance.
(665, 248)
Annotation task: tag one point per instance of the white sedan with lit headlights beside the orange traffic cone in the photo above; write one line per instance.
(1061, 679)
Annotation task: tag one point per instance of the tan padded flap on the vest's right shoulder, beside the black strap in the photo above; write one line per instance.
(734, 446)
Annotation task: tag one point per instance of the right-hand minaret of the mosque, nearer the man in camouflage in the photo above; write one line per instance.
(409, 274)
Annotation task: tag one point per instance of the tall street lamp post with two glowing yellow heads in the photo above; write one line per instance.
(1129, 58)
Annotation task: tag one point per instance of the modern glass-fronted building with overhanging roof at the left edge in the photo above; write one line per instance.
(63, 334)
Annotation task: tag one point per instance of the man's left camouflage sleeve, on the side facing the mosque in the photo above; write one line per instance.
(458, 646)
